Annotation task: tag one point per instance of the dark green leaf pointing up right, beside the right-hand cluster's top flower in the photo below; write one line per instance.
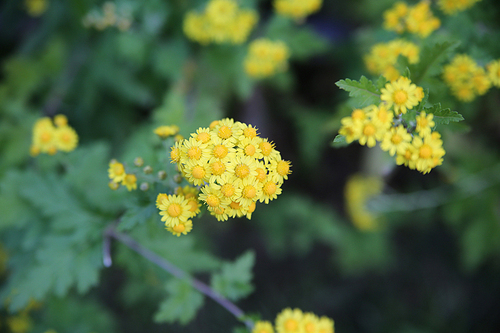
(430, 60)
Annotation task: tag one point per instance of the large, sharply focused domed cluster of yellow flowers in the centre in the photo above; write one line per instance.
(233, 165)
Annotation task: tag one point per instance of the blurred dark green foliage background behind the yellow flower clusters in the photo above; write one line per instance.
(424, 259)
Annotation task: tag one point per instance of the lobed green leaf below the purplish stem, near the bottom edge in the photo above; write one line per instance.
(181, 305)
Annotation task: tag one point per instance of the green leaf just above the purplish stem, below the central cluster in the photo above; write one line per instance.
(234, 280)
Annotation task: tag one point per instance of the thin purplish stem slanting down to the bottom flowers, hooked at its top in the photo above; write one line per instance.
(164, 264)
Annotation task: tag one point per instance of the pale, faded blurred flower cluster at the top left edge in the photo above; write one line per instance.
(110, 17)
